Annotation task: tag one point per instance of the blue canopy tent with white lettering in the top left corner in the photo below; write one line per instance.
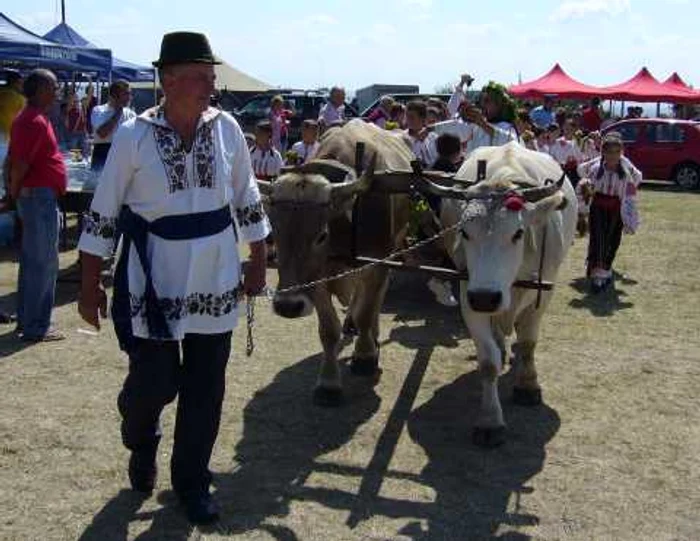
(19, 46)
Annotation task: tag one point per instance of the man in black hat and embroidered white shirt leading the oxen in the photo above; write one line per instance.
(172, 179)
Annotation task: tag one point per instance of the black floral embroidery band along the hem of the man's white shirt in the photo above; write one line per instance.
(177, 308)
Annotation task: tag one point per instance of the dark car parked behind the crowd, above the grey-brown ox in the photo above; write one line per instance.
(304, 105)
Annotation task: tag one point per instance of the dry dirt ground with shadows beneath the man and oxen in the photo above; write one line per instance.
(613, 453)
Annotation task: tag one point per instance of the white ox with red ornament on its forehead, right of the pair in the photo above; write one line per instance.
(500, 241)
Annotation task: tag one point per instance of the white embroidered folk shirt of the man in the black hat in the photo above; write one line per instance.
(197, 282)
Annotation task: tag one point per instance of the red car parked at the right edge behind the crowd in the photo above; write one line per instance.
(663, 149)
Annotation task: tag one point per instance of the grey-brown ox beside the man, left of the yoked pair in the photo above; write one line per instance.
(311, 211)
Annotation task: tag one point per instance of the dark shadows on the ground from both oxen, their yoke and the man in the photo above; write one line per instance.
(285, 437)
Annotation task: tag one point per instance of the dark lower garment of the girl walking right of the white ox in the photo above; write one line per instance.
(605, 223)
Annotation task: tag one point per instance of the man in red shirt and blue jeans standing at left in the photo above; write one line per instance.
(37, 179)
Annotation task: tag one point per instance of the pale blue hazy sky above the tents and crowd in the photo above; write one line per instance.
(309, 44)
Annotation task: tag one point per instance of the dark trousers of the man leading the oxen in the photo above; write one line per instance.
(157, 374)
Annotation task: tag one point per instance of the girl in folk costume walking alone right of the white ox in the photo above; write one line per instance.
(613, 210)
